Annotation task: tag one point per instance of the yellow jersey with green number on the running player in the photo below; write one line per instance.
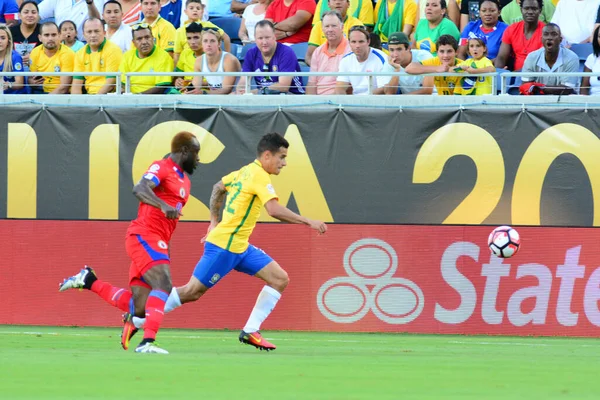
(248, 190)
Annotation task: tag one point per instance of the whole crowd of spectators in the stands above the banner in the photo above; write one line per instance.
(469, 37)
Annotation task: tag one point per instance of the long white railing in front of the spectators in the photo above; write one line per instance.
(125, 78)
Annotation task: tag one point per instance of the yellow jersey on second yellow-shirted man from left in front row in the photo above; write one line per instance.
(106, 59)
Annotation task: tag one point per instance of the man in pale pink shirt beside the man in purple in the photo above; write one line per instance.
(327, 57)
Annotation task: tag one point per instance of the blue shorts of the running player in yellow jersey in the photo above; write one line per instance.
(216, 263)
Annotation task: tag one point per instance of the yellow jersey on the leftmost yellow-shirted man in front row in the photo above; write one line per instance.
(61, 61)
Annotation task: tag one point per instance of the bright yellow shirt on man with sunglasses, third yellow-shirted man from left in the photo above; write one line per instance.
(157, 61)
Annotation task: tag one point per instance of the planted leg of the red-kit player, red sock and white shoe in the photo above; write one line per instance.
(159, 279)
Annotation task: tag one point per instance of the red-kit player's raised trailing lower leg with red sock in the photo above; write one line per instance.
(87, 279)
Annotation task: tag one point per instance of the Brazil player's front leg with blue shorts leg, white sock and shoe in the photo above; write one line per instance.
(259, 264)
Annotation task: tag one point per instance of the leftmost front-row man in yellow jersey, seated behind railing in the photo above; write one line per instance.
(51, 56)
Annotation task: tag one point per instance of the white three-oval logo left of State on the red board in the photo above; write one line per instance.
(370, 262)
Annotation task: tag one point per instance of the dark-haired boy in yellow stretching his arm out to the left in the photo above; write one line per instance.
(445, 61)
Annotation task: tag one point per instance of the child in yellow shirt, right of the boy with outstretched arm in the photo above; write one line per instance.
(478, 63)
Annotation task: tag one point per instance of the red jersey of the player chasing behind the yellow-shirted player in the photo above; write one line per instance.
(173, 187)
